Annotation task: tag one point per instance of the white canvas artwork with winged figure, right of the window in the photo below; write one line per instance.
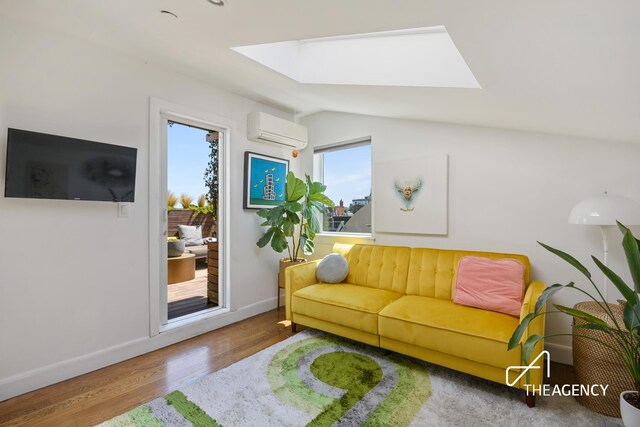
(410, 196)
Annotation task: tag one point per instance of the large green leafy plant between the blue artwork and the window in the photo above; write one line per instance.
(294, 224)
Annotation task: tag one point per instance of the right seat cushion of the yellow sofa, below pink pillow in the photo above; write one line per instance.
(446, 327)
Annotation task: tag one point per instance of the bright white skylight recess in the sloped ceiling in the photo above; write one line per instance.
(424, 57)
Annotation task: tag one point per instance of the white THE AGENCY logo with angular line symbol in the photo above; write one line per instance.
(557, 389)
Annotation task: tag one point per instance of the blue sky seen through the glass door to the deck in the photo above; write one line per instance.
(187, 158)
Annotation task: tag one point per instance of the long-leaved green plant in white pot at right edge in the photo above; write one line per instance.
(625, 334)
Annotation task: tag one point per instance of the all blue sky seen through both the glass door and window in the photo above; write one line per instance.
(347, 173)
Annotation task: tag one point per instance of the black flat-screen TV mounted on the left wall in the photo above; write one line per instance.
(56, 167)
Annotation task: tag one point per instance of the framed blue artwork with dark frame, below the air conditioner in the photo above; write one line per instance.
(264, 179)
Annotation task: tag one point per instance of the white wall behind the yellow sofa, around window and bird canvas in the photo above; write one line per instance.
(507, 190)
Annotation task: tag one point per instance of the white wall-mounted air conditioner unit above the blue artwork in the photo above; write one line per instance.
(262, 127)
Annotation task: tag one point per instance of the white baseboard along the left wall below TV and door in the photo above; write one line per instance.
(41, 377)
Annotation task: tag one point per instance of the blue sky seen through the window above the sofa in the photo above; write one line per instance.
(347, 174)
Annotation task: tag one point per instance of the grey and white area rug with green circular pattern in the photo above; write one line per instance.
(317, 379)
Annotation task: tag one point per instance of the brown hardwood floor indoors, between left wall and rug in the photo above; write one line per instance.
(100, 395)
